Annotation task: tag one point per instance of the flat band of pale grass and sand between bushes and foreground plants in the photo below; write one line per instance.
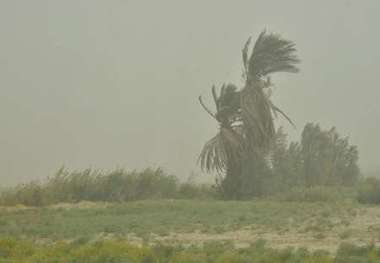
(191, 222)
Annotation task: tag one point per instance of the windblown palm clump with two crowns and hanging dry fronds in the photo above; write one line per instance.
(246, 116)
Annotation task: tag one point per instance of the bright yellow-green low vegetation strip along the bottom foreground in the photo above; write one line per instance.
(119, 251)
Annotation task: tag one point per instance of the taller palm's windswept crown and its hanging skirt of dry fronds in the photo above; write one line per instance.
(270, 54)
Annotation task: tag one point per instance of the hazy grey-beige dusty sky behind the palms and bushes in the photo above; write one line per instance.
(114, 83)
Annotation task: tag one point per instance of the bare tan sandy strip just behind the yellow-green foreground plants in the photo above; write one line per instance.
(362, 229)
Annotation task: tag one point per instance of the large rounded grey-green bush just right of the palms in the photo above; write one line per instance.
(322, 158)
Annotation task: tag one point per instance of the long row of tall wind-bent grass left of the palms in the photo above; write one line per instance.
(93, 185)
